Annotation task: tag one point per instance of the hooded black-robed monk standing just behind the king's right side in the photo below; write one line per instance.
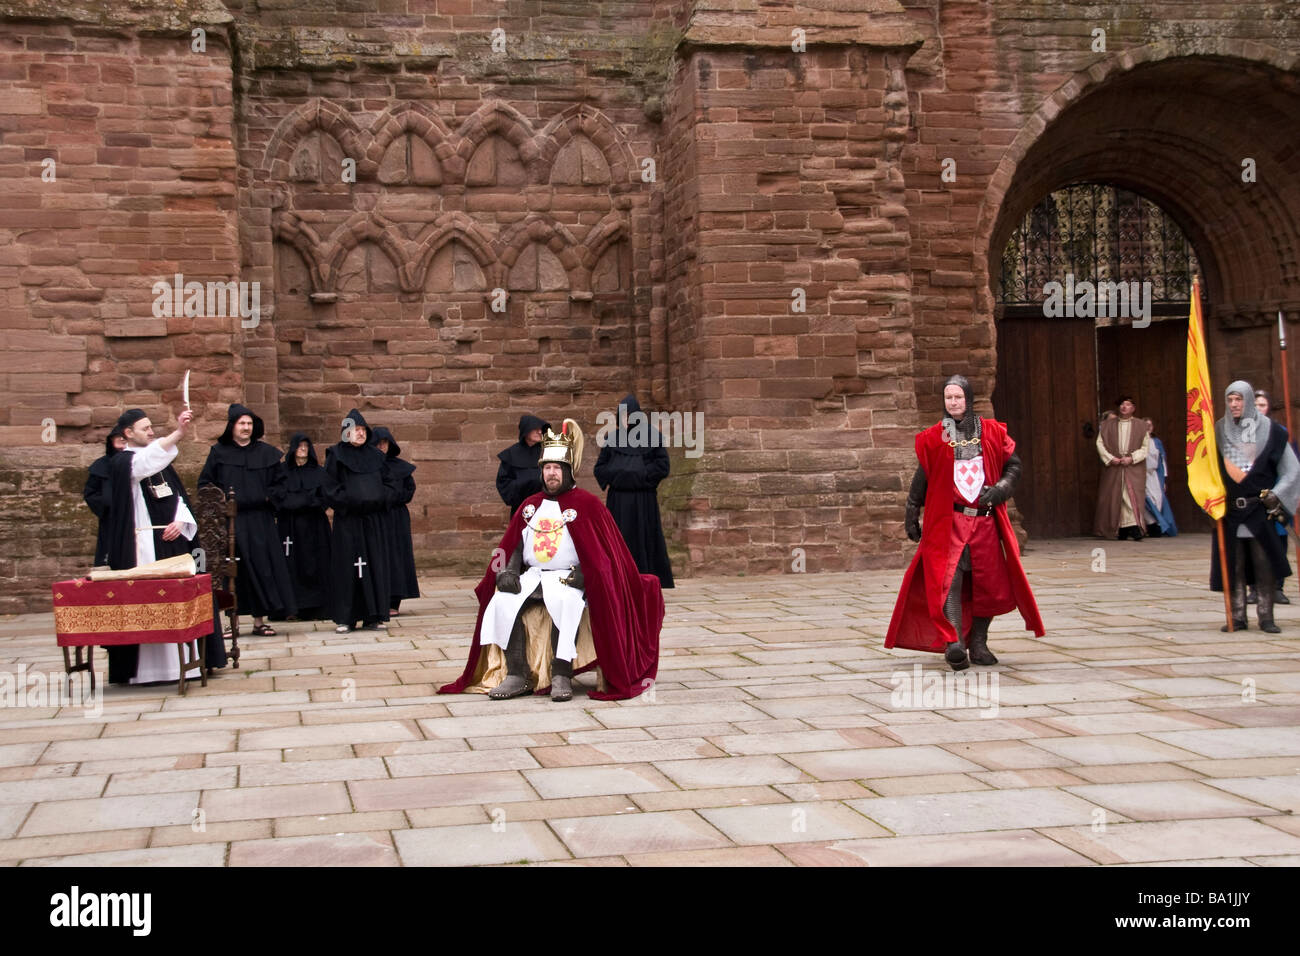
(631, 466)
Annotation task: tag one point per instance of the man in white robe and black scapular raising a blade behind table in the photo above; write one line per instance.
(146, 491)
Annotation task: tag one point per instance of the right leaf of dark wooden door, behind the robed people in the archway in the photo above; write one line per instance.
(1151, 365)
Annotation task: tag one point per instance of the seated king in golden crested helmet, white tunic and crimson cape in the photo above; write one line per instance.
(569, 600)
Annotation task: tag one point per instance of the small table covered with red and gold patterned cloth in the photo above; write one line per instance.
(146, 611)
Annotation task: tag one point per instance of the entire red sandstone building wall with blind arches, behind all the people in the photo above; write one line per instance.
(820, 171)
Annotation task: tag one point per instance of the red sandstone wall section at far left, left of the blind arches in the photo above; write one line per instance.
(140, 129)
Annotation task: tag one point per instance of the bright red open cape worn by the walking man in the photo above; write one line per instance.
(918, 621)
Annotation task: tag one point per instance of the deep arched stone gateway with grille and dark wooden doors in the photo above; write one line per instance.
(1155, 139)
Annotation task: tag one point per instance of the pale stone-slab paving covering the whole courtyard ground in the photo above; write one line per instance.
(1134, 734)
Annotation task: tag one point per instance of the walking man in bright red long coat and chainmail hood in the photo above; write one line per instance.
(968, 569)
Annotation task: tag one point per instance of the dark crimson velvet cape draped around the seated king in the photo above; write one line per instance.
(626, 607)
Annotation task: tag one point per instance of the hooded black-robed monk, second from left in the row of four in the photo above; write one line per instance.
(300, 500)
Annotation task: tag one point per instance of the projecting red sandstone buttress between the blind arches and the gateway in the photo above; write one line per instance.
(790, 181)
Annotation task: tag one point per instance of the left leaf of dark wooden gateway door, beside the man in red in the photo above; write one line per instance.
(1047, 395)
